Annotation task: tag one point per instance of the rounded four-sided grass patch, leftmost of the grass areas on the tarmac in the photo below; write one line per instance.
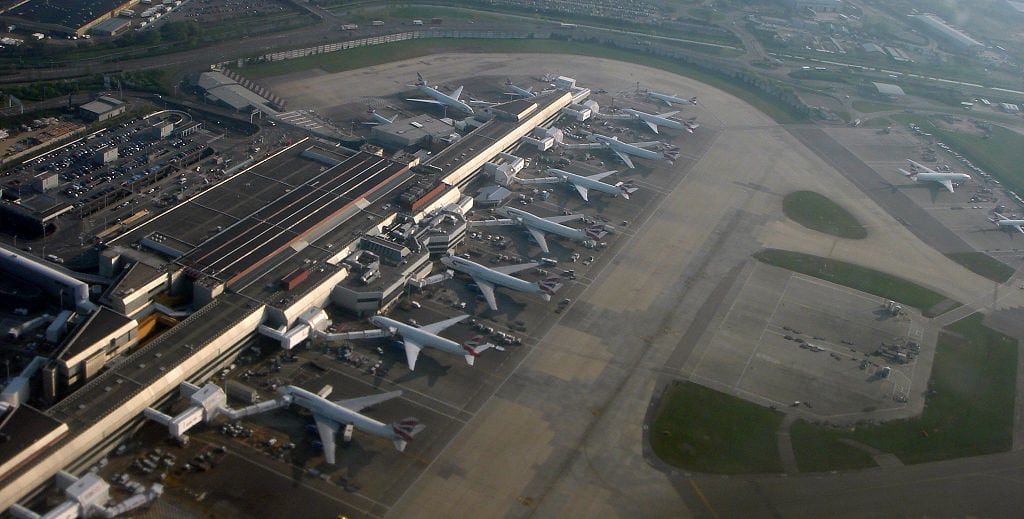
(704, 430)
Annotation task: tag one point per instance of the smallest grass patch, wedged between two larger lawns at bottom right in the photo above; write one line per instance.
(822, 451)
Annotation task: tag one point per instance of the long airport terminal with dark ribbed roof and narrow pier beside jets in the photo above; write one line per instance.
(262, 248)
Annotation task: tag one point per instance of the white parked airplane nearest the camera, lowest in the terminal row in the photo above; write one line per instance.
(330, 416)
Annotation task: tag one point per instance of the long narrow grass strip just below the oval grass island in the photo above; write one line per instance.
(856, 277)
